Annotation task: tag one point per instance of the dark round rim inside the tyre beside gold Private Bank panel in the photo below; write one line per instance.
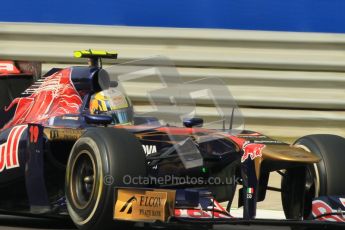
(83, 179)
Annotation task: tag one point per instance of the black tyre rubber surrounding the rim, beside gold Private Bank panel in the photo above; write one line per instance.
(117, 153)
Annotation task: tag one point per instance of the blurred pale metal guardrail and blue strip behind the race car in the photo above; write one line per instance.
(283, 61)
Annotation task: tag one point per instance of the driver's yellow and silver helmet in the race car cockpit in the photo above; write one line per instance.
(113, 103)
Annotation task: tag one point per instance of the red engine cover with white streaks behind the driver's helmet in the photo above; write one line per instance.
(56, 96)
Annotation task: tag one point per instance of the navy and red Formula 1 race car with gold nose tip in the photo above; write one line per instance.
(76, 146)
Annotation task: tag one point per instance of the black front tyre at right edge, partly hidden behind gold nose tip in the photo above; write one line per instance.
(323, 178)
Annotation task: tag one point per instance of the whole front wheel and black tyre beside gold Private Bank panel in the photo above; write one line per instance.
(98, 162)
